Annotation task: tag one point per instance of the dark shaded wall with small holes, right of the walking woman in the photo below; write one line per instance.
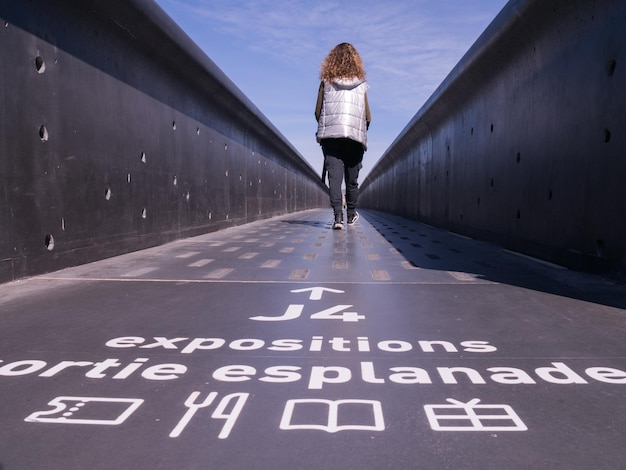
(524, 143)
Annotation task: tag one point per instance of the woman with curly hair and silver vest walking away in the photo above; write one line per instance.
(343, 117)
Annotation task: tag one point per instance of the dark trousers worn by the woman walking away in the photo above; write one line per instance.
(343, 159)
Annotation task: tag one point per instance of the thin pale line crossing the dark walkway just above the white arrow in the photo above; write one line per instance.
(226, 281)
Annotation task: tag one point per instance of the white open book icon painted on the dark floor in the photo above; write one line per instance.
(333, 415)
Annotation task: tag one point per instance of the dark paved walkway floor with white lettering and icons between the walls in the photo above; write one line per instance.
(283, 344)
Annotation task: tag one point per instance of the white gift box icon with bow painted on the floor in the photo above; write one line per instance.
(470, 416)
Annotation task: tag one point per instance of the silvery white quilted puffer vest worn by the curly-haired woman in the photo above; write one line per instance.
(343, 111)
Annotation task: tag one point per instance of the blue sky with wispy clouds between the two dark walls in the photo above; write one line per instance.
(272, 49)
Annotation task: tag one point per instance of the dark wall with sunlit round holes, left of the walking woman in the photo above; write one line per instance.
(117, 133)
